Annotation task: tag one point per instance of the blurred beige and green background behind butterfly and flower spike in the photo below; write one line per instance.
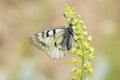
(21, 18)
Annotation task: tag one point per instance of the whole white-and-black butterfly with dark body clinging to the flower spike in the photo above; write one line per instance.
(55, 42)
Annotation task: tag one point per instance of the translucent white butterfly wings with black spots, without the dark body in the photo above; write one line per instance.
(51, 41)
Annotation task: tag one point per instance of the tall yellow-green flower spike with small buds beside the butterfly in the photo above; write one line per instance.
(82, 63)
